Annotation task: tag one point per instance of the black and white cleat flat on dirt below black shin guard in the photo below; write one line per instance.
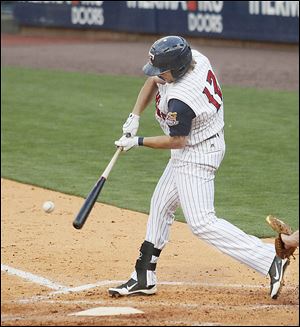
(131, 287)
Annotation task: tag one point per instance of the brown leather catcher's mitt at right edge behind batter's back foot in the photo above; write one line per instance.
(281, 228)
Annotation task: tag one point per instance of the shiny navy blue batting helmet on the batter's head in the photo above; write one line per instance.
(169, 53)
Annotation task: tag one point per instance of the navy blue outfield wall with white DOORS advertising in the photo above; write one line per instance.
(267, 21)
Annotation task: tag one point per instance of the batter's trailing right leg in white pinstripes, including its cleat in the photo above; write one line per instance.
(196, 196)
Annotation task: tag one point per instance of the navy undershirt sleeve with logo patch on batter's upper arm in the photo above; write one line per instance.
(179, 118)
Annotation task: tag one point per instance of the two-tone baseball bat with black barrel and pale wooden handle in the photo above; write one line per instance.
(94, 193)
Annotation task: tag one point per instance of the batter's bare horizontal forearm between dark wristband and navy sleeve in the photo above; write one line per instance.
(165, 142)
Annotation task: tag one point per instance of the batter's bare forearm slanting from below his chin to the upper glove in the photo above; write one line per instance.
(145, 96)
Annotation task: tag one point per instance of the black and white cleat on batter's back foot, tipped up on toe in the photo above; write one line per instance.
(276, 273)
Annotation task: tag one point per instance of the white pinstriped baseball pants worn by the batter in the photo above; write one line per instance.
(192, 187)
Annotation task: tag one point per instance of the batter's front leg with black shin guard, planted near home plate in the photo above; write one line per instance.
(164, 203)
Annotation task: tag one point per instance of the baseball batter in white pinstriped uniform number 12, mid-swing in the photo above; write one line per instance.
(189, 109)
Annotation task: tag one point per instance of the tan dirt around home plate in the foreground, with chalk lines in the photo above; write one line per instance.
(197, 284)
